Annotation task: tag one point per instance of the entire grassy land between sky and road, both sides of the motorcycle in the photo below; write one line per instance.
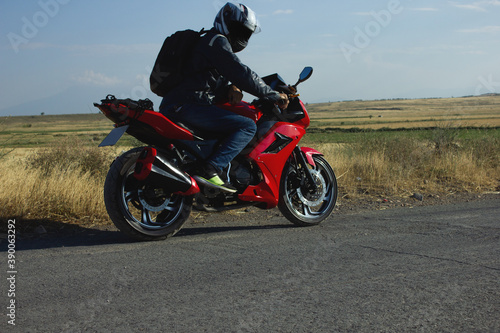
(52, 168)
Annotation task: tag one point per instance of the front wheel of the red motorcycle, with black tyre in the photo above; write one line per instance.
(299, 204)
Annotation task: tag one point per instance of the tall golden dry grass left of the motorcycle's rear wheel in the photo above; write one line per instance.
(57, 183)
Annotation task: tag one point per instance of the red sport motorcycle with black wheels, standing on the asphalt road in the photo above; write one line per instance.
(149, 191)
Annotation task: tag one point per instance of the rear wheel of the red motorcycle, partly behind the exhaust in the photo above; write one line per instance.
(142, 212)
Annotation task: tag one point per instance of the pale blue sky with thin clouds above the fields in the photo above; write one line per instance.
(60, 56)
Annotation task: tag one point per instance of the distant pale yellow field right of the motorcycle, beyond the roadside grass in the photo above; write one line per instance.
(457, 112)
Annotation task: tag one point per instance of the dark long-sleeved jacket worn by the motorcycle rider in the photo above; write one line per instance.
(211, 70)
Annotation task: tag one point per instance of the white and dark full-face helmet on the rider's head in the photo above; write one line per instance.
(237, 22)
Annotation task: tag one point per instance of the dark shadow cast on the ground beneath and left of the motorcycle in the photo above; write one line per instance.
(59, 234)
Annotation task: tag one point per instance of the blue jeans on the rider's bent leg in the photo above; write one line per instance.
(237, 130)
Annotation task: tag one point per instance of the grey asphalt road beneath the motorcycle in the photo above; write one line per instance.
(427, 269)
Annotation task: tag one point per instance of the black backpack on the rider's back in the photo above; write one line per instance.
(169, 69)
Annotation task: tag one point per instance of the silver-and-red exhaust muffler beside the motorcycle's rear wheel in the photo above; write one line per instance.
(153, 169)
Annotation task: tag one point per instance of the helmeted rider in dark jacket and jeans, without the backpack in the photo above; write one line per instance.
(216, 75)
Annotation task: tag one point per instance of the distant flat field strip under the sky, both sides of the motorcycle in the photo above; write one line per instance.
(479, 112)
